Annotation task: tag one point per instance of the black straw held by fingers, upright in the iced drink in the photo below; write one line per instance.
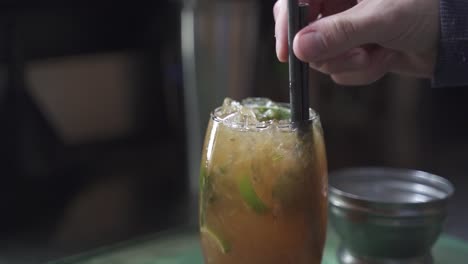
(298, 70)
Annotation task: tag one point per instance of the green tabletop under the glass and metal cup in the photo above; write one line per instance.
(182, 246)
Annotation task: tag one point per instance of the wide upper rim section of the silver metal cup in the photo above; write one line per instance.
(389, 191)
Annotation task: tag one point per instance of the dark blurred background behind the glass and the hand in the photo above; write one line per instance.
(103, 109)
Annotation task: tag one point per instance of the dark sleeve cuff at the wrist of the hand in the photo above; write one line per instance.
(452, 61)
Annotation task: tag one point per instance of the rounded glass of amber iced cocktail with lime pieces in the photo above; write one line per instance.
(263, 191)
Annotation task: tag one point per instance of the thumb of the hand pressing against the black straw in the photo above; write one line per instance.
(331, 36)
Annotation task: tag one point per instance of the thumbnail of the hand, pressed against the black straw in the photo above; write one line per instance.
(311, 45)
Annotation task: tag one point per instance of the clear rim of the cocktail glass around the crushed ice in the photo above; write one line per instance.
(284, 124)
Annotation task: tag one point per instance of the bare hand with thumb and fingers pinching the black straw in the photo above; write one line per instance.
(357, 43)
